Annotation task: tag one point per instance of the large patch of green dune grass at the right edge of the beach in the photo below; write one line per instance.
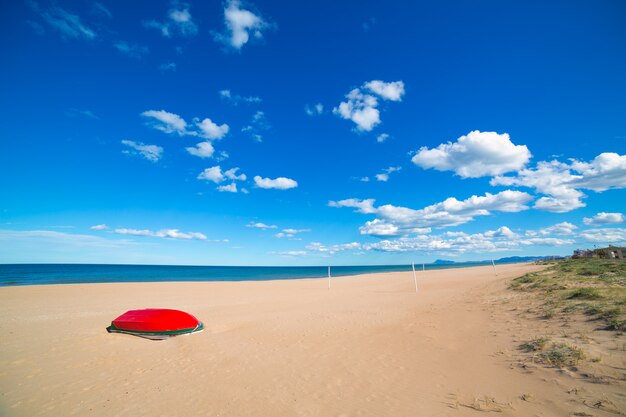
(595, 287)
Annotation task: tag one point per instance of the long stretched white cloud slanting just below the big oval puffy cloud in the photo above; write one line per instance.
(450, 212)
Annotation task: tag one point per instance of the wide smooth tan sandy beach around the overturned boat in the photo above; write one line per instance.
(369, 346)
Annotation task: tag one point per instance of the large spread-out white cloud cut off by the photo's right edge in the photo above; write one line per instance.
(561, 182)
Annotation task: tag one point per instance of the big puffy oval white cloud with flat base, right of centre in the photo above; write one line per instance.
(476, 154)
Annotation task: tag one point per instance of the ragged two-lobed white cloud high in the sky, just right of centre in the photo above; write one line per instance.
(361, 106)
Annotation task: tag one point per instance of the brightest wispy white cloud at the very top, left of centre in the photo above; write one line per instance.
(240, 25)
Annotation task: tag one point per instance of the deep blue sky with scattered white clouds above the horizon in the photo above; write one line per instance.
(309, 133)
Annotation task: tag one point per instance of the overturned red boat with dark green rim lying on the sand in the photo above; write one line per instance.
(155, 323)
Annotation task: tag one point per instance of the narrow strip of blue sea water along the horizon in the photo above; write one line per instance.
(38, 274)
